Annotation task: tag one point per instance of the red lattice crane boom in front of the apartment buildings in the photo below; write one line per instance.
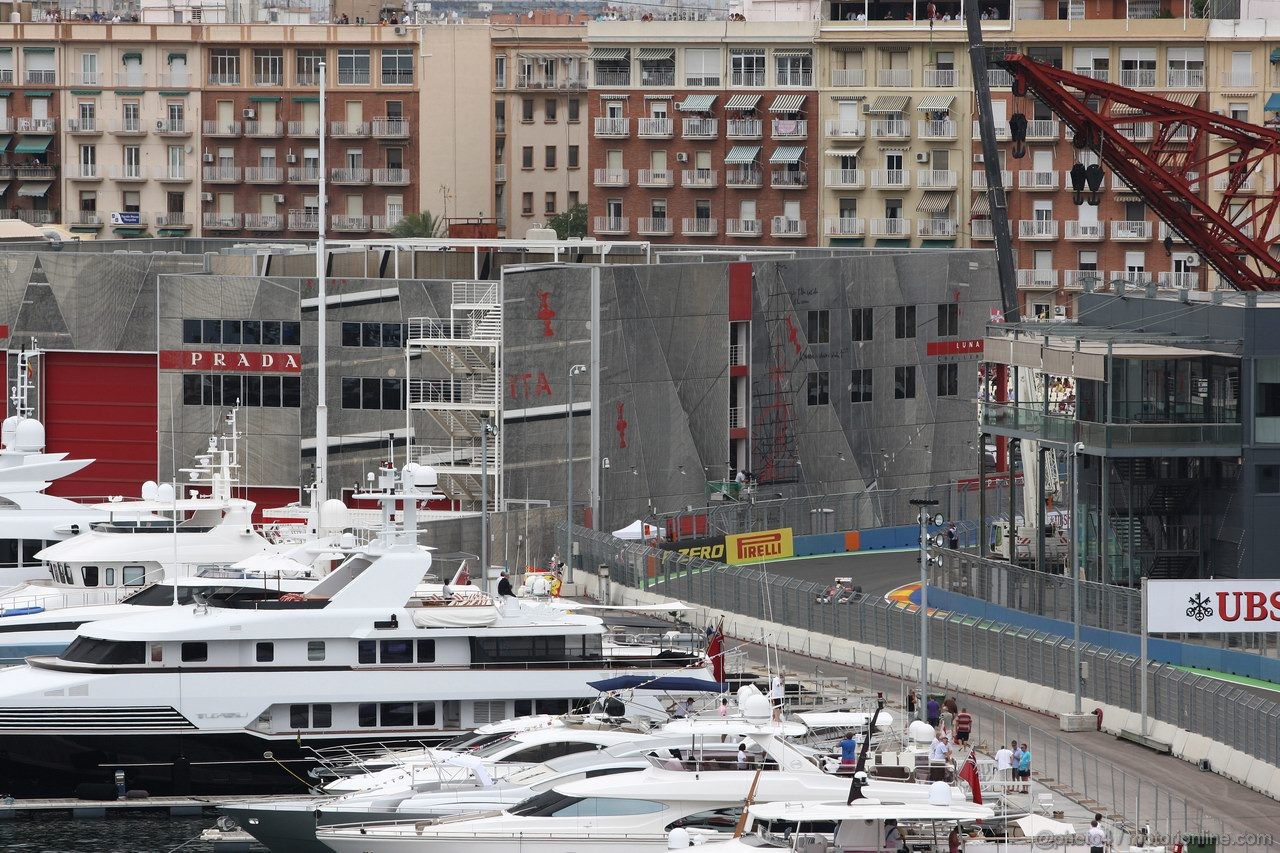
(1236, 238)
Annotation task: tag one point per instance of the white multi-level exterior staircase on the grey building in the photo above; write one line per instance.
(458, 407)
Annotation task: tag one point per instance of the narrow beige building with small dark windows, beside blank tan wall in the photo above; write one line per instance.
(541, 125)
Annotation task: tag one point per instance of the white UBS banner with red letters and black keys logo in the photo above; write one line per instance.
(1213, 606)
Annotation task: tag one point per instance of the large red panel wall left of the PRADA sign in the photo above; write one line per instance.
(103, 407)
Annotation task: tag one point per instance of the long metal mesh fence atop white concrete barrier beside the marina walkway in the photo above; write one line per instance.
(1240, 719)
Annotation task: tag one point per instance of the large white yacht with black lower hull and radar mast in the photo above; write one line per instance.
(232, 697)
